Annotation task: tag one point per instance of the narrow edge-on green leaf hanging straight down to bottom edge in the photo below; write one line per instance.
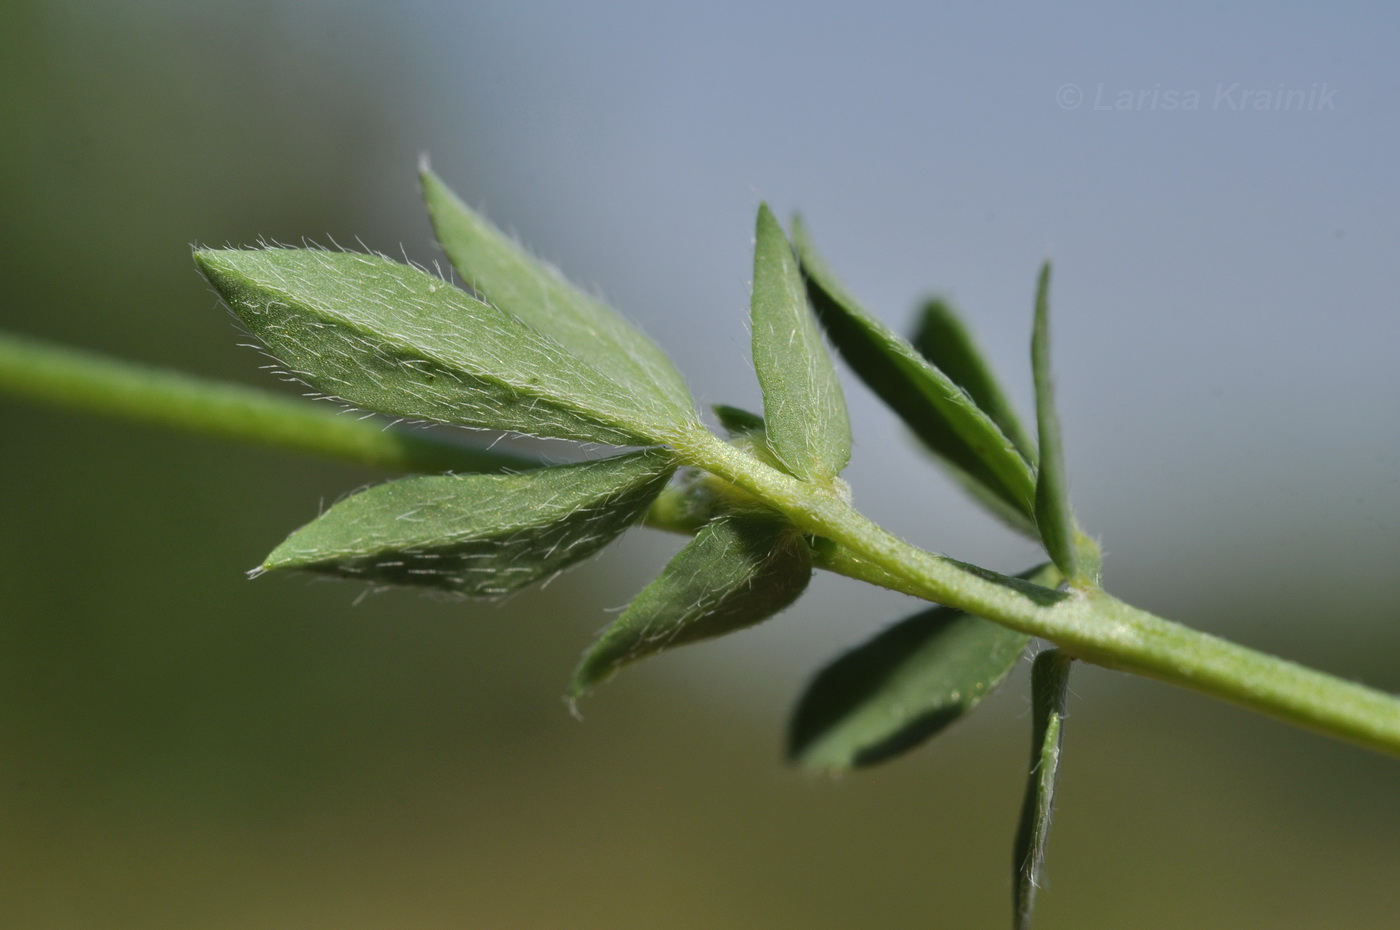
(1049, 690)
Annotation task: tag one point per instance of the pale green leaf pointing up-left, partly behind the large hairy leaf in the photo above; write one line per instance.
(534, 292)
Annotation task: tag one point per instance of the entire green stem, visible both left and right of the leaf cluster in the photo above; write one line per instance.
(1088, 625)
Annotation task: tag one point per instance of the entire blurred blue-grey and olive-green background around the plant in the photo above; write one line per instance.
(185, 749)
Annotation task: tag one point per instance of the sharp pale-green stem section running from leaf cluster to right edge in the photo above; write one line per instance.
(1086, 624)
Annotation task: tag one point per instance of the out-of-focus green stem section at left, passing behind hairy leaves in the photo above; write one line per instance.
(79, 380)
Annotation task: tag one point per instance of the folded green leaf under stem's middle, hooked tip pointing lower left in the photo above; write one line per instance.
(738, 571)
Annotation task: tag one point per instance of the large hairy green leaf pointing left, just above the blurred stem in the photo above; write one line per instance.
(395, 340)
